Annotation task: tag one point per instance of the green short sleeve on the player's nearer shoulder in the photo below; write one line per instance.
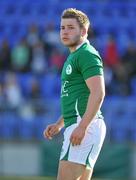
(90, 64)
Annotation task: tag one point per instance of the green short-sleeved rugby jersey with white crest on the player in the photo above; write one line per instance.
(81, 64)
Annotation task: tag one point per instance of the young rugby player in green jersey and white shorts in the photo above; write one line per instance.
(82, 94)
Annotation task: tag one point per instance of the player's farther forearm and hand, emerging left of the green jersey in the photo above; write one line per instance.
(53, 129)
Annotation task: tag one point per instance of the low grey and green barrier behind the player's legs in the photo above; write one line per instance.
(114, 162)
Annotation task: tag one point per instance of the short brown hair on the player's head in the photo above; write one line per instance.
(81, 17)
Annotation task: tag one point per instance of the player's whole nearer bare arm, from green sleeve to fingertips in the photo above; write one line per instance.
(97, 93)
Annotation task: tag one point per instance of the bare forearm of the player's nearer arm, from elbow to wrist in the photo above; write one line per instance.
(94, 103)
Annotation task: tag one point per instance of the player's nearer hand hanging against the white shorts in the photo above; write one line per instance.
(77, 136)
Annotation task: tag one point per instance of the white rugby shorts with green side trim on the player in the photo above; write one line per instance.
(87, 152)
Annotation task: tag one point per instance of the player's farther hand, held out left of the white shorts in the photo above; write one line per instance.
(51, 130)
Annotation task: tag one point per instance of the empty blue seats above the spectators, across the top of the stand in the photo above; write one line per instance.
(106, 17)
